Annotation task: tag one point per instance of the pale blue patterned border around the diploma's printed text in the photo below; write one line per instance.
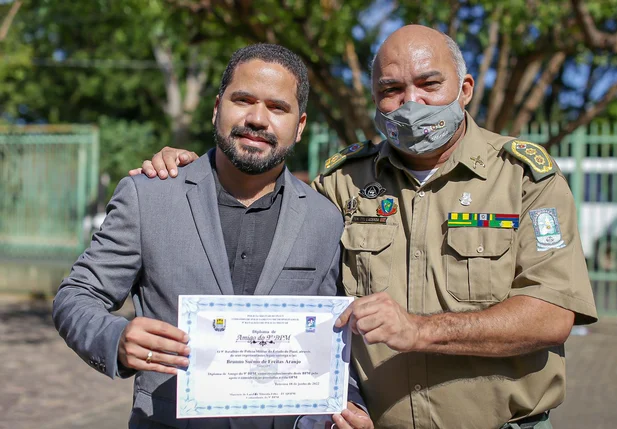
(190, 305)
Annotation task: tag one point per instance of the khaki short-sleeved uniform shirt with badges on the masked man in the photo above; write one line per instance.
(428, 267)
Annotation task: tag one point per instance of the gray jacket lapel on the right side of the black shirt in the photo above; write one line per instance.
(293, 210)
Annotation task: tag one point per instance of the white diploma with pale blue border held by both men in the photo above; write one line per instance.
(263, 355)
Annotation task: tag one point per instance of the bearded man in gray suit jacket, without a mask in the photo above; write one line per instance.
(236, 222)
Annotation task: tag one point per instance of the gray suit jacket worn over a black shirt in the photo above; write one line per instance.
(163, 238)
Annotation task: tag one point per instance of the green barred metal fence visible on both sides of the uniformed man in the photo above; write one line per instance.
(588, 159)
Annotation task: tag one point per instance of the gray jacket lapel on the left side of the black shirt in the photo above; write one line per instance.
(204, 207)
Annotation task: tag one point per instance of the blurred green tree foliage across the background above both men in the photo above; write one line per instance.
(48, 73)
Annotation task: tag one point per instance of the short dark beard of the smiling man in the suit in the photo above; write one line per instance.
(251, 160)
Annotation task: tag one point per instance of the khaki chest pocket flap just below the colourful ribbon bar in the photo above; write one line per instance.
(480, 242)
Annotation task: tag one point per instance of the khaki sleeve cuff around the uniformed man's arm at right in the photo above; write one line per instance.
(584, 312)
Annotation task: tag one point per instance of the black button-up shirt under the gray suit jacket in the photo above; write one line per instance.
(248, 232)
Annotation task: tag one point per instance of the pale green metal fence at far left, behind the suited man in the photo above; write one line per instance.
(48, 181)
